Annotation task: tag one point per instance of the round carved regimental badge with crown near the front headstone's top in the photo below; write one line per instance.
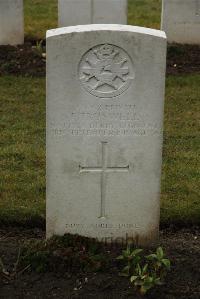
(106, 71)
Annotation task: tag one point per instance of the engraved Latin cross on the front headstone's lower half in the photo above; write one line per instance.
(104, 169)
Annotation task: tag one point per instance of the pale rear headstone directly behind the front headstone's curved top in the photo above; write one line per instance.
(81, 12)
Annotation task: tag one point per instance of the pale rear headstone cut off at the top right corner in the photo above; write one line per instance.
(181, 21)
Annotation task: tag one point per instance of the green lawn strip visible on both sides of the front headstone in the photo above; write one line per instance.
(23, 150)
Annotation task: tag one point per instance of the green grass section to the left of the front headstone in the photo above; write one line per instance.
(22, 178)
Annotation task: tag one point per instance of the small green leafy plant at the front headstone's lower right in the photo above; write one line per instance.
(145, 272)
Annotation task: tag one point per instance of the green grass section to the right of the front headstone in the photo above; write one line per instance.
(181, 178)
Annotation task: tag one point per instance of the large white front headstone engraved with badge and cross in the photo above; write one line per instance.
(105, 96)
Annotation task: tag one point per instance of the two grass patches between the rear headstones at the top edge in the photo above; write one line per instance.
(41, 15)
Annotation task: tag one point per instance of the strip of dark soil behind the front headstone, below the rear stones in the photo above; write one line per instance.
(29, 59)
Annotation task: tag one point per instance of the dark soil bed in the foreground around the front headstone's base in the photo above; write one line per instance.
(183, 281)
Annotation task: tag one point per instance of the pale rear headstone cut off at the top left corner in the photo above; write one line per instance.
(11, 22)
